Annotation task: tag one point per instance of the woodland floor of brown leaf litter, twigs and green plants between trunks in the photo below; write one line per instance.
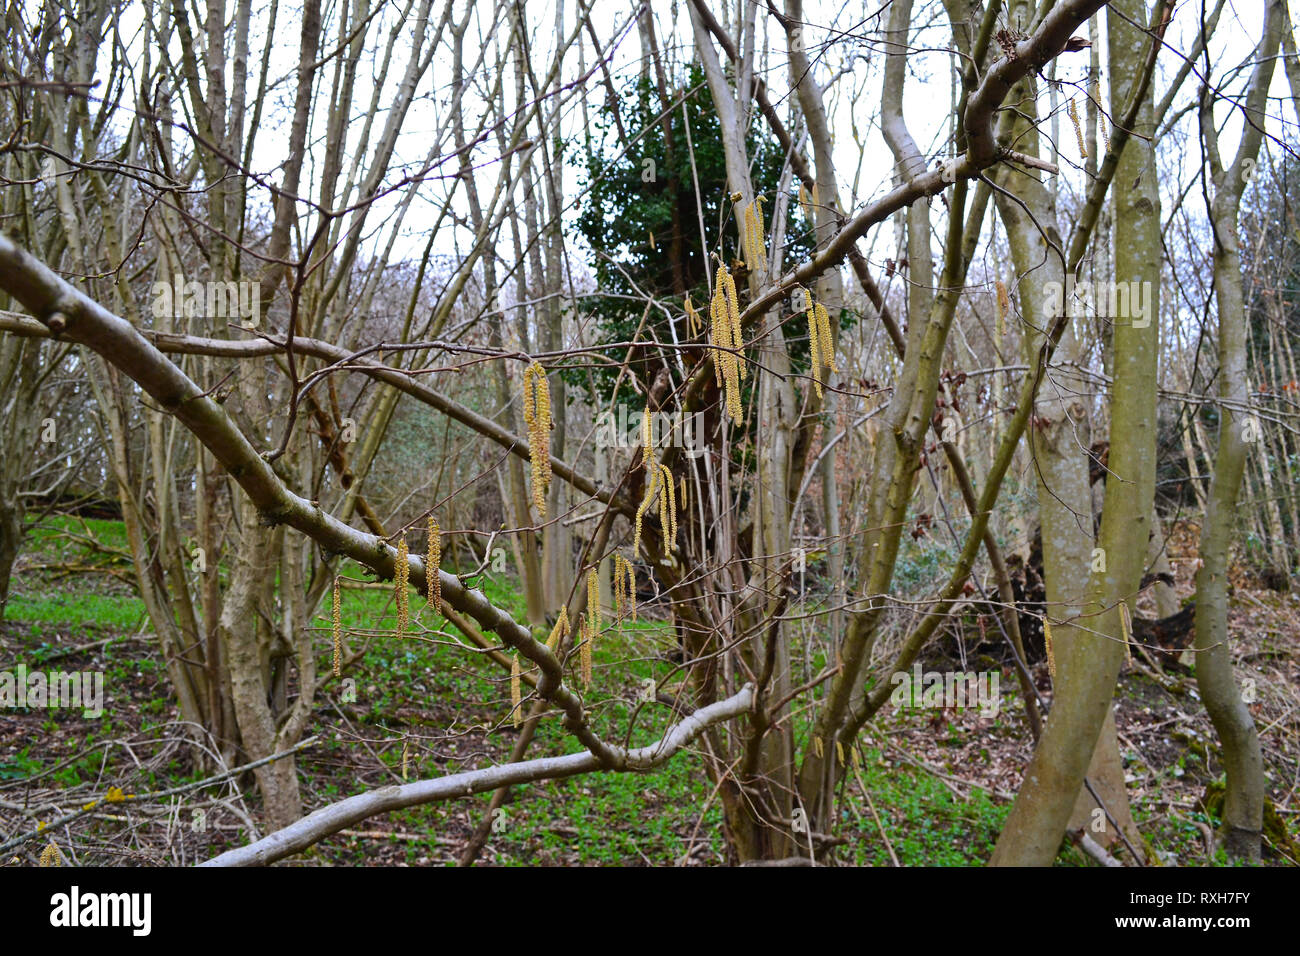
(941, 782)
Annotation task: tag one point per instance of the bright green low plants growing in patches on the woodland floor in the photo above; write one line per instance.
(415, 689)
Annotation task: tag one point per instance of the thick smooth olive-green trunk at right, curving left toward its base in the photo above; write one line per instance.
(1089, 668)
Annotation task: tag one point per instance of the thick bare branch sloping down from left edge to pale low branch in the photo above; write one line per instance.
(75, 317)
